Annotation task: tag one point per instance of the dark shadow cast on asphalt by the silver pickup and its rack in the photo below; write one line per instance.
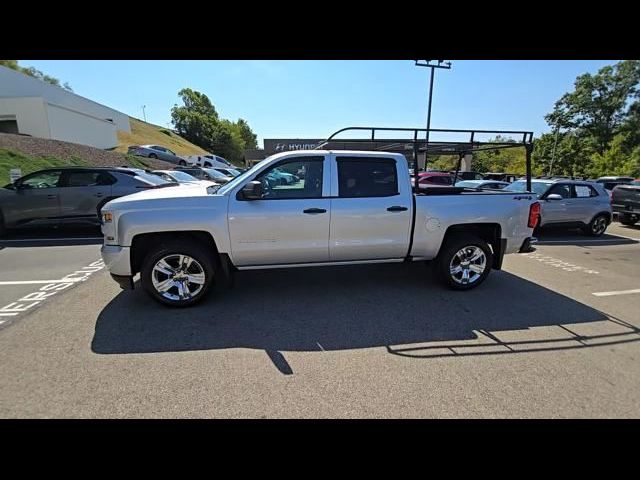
(341, 308)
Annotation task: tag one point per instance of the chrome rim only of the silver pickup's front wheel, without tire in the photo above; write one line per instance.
(178, 277)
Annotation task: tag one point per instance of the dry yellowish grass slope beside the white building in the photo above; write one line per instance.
(143, 133)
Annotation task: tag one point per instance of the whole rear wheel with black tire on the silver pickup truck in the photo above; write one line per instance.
(464, 262)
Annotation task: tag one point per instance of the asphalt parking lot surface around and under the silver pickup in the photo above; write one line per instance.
(555, 334)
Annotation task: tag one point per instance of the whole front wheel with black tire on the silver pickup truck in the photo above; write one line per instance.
(178, 274)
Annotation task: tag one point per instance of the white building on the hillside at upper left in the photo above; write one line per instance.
(33, 107)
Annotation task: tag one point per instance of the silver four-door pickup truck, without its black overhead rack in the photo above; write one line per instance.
(346, 207)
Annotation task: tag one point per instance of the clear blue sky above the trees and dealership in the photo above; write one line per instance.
(312, 99)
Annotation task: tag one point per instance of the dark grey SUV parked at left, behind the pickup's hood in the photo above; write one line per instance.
(60, 196)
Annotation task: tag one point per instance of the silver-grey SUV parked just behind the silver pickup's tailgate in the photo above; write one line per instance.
(570, 203)
